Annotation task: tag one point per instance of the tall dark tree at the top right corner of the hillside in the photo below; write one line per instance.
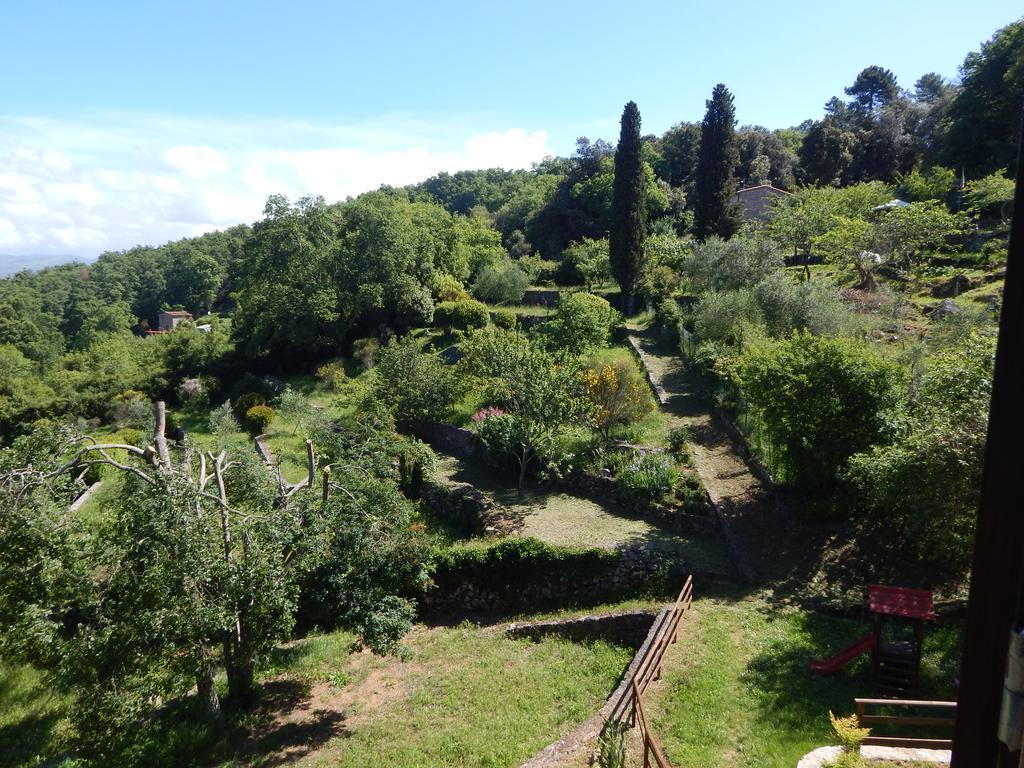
(984, 119)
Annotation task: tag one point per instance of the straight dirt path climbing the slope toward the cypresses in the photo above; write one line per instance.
(759, 538)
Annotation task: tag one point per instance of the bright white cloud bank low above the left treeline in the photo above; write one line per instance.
(124, 180)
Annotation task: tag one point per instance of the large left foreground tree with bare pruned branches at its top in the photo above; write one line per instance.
(200, 551)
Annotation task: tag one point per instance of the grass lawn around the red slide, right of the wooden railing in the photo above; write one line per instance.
(737, 690)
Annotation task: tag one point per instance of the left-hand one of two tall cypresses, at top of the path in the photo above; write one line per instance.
(629, 208)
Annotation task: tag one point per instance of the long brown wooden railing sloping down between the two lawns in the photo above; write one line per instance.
(630, 705)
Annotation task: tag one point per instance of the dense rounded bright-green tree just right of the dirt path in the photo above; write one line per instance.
(823, 400)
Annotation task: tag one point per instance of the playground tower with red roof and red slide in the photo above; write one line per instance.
(897, 661)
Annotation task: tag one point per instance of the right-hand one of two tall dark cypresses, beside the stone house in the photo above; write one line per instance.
(715, 212)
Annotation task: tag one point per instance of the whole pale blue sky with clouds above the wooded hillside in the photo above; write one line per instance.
(126, 123)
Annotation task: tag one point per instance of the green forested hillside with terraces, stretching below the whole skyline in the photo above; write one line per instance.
(845, 334)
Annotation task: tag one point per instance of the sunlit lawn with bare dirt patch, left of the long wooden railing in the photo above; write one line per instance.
(461, 697)
